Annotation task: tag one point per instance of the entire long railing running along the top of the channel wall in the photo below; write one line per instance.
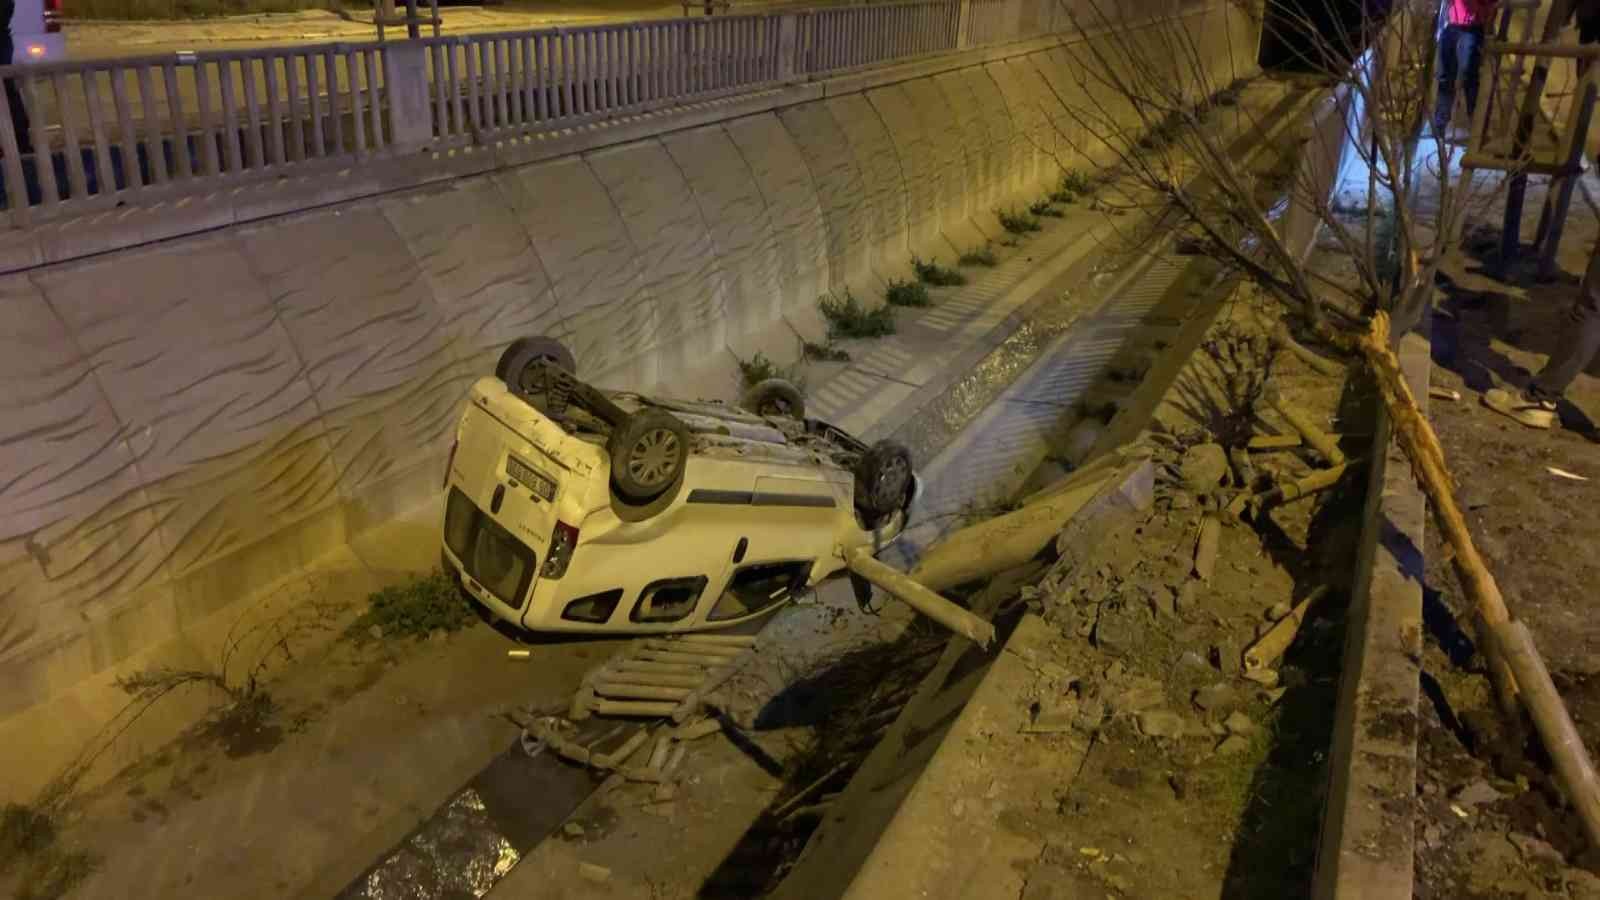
(119, 132)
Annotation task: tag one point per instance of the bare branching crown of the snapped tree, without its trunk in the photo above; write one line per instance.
(1148, 92)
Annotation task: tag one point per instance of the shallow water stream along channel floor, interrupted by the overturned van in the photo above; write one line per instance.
(1057, 358)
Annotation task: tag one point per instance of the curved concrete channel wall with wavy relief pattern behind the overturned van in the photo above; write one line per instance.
(199, 424)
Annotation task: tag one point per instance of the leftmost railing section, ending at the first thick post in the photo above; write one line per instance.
(116, 131)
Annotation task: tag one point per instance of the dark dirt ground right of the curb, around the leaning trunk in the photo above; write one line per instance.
(1492, 814)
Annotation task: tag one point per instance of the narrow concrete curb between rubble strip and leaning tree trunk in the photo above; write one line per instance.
(1367, 830)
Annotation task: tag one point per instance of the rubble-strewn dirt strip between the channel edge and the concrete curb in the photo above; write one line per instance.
(1199, 781)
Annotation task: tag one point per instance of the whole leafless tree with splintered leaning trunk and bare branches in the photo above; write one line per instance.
(1146, 92)
